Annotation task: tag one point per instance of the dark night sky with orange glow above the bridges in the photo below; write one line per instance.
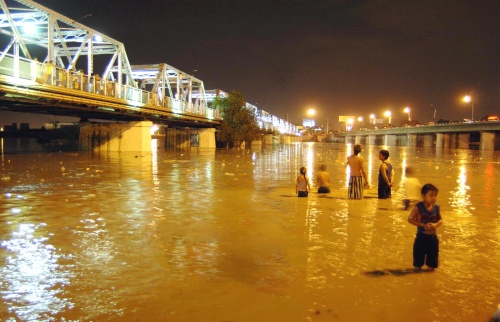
(341, 57)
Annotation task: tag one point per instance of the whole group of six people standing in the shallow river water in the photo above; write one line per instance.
(426, 214)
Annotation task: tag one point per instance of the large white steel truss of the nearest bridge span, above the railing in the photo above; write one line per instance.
(33, 27)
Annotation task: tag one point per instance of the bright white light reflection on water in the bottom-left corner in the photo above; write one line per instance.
(31, 278)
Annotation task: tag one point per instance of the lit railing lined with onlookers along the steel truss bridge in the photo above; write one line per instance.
(50, 74)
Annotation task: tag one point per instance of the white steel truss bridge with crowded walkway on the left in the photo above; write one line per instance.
(47, 67)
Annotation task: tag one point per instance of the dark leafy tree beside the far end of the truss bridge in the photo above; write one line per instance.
(238, 124)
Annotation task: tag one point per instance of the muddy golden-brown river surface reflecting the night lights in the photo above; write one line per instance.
(219, 235)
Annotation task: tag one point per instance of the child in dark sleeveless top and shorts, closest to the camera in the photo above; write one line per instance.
(427, 217)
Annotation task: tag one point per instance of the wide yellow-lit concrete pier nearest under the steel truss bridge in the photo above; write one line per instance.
(130, 137)
